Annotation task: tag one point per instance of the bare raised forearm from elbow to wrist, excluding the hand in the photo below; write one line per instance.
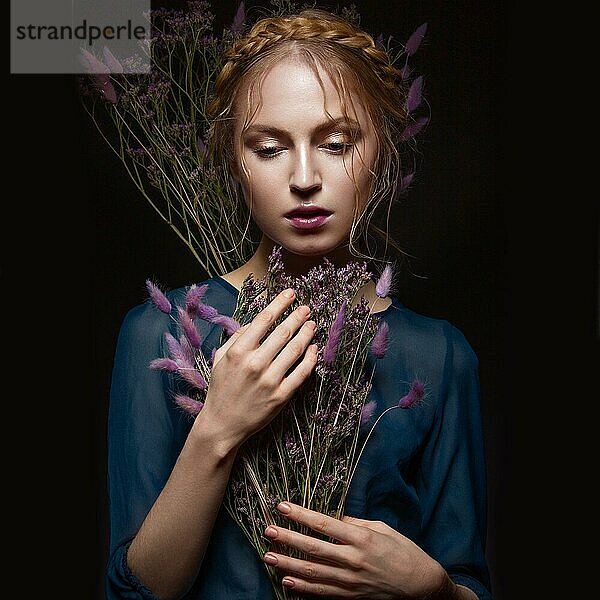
(168, 550)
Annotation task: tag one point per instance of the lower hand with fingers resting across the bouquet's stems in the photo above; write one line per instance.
(370, 560)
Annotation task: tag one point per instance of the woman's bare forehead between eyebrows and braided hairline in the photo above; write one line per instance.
(293, 91)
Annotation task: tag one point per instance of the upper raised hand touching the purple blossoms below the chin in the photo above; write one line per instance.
(248, 385)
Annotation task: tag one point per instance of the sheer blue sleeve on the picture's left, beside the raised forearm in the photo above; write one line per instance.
(145, 435)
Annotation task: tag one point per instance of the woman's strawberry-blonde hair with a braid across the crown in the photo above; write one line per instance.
(346, 54)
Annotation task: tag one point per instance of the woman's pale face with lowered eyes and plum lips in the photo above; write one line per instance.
(295, 157)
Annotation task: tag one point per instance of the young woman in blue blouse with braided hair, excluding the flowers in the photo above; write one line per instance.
(307, 115)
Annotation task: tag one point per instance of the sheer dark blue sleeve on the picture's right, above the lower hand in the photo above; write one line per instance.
(451, 482)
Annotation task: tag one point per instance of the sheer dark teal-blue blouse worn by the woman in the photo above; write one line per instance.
(422, 471)
